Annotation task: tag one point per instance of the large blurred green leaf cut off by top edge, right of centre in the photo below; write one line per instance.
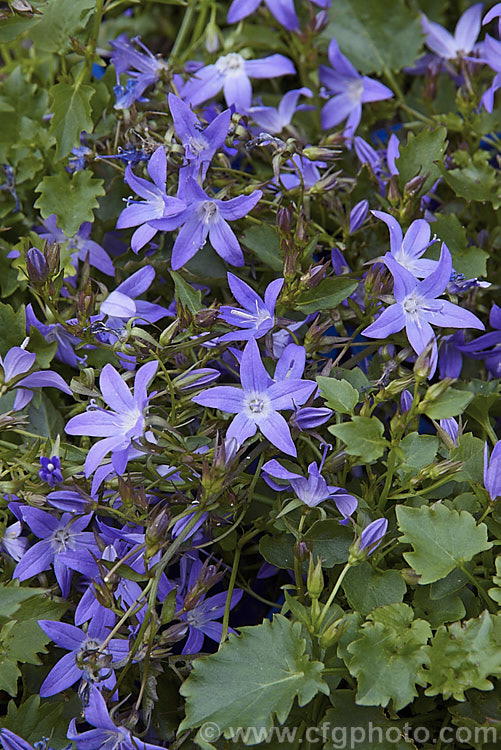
(366, 37)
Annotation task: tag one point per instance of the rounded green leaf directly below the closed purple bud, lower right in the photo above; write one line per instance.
(366, 588)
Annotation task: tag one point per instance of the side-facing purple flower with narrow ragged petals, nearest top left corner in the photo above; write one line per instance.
(143, 69)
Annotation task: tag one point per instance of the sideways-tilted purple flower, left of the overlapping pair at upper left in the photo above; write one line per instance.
(156, 204)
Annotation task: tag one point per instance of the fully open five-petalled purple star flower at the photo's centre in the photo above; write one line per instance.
(258, 402)
